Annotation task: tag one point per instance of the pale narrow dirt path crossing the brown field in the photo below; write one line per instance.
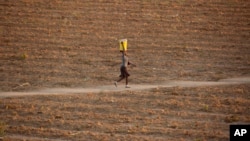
(110, 88)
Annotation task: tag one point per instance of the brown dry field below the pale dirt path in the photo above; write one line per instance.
(197, 114)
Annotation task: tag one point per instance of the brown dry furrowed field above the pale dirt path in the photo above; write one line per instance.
(54, 43)
